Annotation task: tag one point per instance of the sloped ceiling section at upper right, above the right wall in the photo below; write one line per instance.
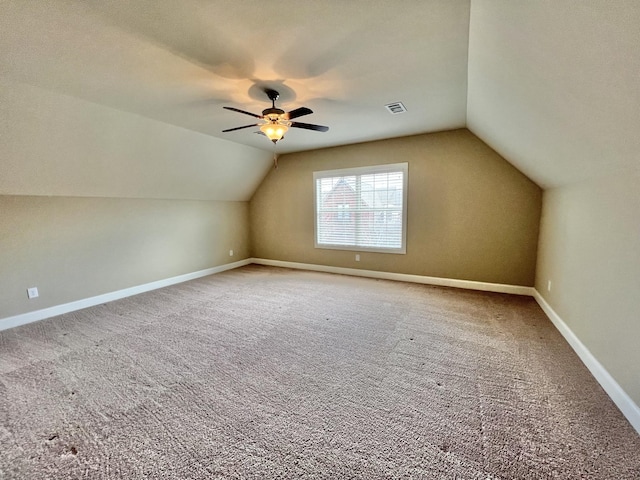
(554, 86)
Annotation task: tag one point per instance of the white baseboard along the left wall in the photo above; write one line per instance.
(24, 318)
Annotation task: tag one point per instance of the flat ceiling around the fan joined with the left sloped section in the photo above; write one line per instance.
(124, 98)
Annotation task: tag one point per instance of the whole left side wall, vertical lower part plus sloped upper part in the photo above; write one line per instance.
(82, 189)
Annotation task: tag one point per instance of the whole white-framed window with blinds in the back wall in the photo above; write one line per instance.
(362, 208)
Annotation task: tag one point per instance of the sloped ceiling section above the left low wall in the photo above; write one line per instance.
(53, 144)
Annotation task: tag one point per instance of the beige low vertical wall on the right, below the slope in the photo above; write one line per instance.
(590, 250)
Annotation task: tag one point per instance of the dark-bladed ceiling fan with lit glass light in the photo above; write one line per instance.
(277, 121)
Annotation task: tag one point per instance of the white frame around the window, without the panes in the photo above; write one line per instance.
(359, 171)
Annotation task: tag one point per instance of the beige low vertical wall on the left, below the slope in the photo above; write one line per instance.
(72, 248)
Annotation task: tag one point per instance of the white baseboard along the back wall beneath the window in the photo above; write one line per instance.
(402, 277)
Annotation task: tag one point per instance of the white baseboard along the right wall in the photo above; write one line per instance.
(626, 405)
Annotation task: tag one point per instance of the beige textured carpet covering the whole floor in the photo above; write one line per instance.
(270, 373)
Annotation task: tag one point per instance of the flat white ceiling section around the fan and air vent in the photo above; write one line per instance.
(180, 62)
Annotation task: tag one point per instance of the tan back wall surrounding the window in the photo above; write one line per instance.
(471, 215)
